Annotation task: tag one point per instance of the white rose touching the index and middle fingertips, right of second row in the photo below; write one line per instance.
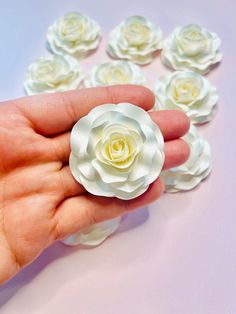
(187, 91)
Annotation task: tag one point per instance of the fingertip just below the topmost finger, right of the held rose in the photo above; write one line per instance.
(173, 123)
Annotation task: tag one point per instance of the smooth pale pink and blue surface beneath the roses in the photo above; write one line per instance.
(178, 256)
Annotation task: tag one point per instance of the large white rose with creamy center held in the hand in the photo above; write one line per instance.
(116, 150)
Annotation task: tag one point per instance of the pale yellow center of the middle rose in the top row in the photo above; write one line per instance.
(136, 33)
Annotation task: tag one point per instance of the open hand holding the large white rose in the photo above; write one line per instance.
(40, 202)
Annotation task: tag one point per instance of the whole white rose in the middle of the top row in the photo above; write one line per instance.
(135, 39)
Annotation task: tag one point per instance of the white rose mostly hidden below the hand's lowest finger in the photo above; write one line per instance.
(95, 234)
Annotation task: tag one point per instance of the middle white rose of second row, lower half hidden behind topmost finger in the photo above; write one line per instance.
(115, 72)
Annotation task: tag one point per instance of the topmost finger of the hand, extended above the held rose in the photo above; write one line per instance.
(50, 114)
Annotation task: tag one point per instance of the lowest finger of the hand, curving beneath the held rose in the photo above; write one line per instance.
(80, 212)
